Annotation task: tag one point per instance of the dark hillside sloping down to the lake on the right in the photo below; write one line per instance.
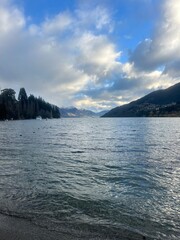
(160, 103)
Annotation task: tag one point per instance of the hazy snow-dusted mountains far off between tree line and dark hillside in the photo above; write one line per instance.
(79, 113)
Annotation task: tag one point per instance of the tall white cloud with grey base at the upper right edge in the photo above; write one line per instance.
(164, 47)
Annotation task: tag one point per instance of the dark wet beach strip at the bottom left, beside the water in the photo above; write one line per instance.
(13, 228)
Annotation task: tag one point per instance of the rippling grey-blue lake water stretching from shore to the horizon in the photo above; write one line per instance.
(109, 177)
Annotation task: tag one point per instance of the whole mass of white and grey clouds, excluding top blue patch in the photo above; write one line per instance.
(70, 60)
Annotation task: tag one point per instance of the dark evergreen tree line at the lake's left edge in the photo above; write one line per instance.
(24, 107)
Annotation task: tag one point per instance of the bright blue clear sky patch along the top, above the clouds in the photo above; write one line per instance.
(134, 20)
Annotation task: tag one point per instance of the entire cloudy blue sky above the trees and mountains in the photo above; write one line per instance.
(93, 54)
